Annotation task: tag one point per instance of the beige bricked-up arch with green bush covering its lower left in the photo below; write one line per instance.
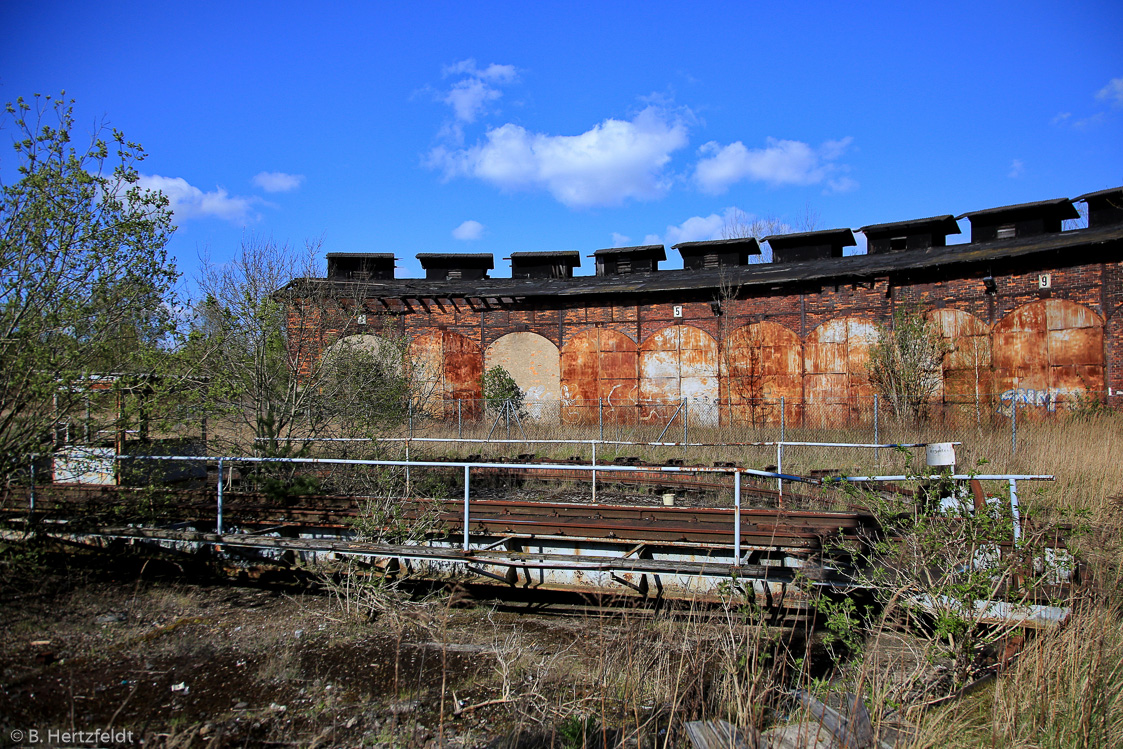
(534, 362)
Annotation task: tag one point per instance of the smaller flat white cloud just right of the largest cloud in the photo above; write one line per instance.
(779, 163)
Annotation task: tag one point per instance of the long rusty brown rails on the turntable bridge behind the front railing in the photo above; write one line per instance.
(797, 531)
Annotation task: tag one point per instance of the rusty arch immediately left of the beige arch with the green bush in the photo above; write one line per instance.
(448, 368)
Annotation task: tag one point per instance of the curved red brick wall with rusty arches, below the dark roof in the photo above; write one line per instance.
(809, 348)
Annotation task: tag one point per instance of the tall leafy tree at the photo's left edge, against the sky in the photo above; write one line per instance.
(86, 284)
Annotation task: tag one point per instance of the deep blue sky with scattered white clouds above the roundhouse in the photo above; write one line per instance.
(503, 127)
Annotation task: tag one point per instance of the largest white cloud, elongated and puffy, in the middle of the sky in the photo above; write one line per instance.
(615, 161)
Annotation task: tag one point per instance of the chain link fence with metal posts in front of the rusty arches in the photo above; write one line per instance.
(791, 435)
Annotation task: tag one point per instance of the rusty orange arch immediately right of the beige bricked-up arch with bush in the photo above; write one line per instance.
(600, 368)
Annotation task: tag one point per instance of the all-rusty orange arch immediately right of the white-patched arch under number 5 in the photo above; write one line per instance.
(761, 364)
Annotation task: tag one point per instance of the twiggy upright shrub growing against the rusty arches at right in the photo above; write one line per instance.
(907, 364)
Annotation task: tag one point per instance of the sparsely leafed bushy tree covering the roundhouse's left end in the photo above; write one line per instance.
(260, 327)
